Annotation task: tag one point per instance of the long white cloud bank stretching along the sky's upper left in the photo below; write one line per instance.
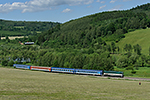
(39, 5)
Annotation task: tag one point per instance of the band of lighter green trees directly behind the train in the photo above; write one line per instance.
(103, 58)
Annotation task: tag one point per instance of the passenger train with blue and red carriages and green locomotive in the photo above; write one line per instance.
(71, 70)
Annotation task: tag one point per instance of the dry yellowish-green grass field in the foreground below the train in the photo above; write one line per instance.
(18, 84)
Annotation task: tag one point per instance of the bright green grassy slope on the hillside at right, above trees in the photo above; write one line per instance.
(141, 37)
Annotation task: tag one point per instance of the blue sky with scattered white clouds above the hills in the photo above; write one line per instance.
(60, 10)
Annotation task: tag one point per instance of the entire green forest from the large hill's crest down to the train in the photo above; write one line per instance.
(85, 43)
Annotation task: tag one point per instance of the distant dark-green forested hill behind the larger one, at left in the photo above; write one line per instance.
(24, 28)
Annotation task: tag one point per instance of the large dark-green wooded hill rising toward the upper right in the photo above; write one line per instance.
(97, 28)
